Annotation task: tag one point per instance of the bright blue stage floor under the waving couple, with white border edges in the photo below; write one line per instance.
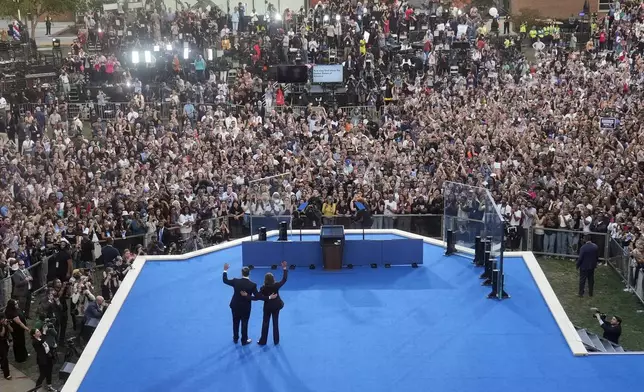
(377, 330)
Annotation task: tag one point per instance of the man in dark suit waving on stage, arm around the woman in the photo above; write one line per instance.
(240, 303)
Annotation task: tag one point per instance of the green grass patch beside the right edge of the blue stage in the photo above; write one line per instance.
(609, 297)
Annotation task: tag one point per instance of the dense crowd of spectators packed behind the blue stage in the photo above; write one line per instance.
(526, 129)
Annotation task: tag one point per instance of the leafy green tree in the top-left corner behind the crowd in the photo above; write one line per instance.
(32, 10)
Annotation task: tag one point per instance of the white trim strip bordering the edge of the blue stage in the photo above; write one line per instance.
(91, 350)
